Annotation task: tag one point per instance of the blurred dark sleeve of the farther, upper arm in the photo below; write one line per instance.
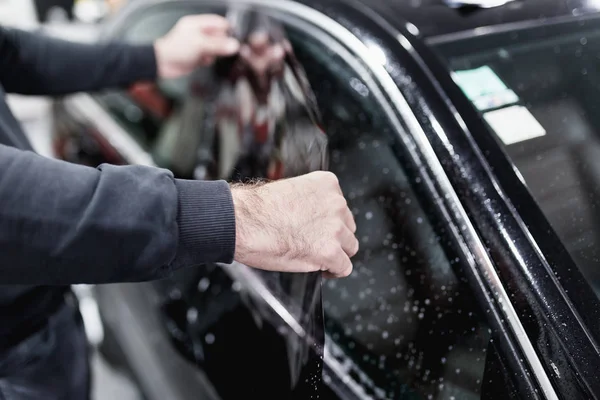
(35, 64)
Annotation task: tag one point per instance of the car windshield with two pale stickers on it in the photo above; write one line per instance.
(537, 89)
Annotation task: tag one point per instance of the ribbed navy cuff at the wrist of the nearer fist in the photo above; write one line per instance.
(206, 221)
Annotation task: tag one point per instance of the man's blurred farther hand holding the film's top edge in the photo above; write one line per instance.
(196, 40)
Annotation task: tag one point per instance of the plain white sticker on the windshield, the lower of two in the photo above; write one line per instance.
(514, 124)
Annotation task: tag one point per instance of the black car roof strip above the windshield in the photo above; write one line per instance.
(435, 18)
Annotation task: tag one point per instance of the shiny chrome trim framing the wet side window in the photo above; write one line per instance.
(402, 108)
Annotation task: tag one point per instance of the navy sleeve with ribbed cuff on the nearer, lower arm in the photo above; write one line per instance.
(63, 223)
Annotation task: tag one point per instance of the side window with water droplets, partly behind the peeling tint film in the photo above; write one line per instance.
(403, 325)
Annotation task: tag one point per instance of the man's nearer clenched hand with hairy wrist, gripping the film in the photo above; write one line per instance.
(300, 224)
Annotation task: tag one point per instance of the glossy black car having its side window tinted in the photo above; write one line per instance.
(464, 139)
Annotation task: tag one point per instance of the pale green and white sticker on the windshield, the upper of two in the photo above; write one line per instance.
(484, 88)
